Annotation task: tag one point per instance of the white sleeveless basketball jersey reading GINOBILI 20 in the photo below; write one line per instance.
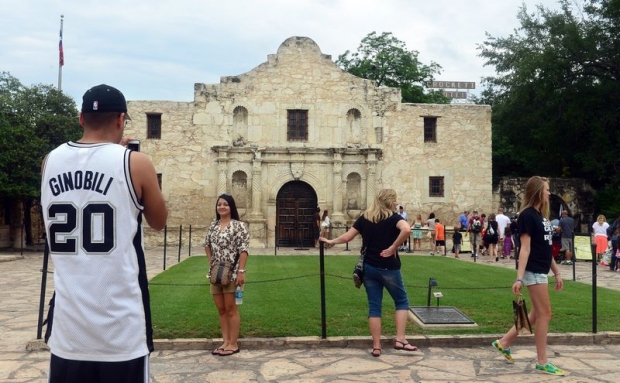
(93, 221)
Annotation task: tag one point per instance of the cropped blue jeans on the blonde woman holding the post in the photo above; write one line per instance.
(375, 279)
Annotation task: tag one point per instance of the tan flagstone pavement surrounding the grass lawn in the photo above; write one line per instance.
(588, 357)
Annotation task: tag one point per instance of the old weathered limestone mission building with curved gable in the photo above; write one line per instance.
(297, 132)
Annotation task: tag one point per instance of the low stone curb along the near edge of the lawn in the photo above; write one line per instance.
(454, 341)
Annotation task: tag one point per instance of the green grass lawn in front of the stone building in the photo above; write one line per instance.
(282, 298)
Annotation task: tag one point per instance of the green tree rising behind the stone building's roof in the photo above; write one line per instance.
(386, 60)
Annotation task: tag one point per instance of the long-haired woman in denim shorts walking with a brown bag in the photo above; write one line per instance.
(535, 261)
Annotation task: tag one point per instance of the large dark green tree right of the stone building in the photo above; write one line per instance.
(554, 93)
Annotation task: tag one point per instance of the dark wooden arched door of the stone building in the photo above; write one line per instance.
(295, 206)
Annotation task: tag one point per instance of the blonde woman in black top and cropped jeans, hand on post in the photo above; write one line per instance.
(382, 232)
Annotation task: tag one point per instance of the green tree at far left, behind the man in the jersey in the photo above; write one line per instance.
(33, 121)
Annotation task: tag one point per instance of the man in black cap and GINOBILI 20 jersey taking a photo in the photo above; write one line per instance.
(95, 194)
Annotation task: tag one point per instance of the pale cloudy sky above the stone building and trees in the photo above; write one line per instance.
(158, 49)
